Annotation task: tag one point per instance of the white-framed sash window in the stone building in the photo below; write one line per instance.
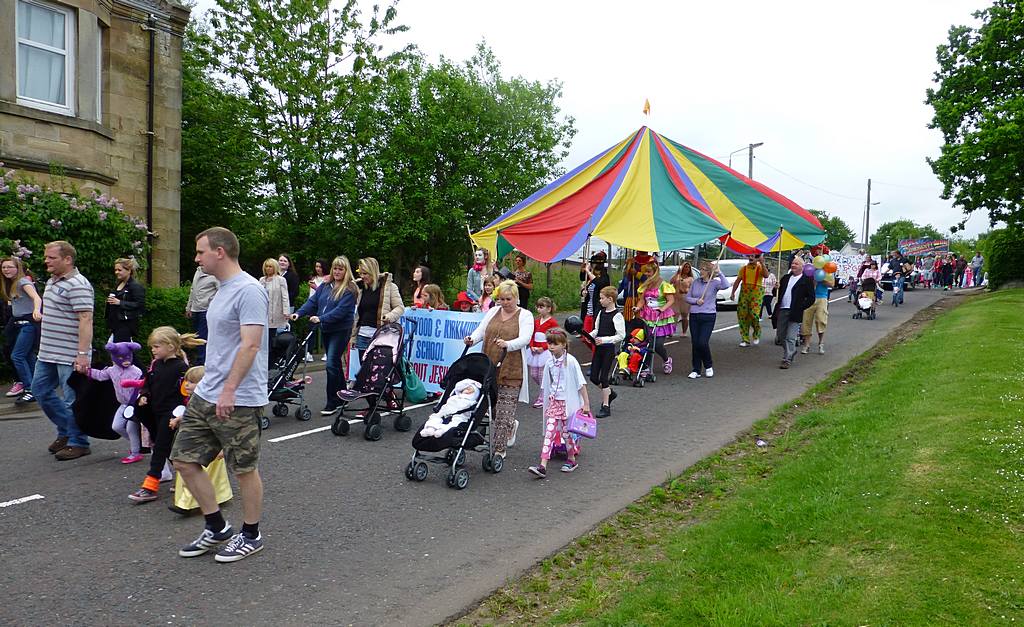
(46, 57)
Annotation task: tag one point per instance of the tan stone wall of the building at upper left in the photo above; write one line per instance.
(111, 155)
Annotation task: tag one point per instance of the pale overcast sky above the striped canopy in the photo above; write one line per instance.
(835, 91)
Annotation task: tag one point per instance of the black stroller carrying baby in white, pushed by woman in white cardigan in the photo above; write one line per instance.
(475, 435)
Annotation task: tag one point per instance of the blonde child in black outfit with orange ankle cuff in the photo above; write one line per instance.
(160, 395)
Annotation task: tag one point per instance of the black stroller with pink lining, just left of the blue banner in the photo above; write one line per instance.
(379, 377)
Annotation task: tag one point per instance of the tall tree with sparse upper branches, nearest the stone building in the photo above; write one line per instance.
(309, 73)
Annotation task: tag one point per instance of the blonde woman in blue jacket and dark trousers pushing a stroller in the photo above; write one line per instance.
(332, 308)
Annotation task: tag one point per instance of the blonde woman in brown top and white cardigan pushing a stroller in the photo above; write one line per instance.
(506, 331)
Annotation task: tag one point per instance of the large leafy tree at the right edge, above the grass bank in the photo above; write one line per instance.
(979, 109)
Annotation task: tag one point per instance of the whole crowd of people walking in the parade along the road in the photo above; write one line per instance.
(236, 318)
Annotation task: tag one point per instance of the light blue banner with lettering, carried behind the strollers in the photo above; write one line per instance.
(437, 343)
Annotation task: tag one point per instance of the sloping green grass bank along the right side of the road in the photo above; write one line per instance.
(890, 494)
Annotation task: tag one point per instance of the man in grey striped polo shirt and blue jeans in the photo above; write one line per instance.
(65, 345)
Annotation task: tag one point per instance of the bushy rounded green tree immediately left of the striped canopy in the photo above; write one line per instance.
(459, 144)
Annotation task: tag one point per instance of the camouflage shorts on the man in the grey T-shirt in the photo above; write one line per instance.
(202, 436)
